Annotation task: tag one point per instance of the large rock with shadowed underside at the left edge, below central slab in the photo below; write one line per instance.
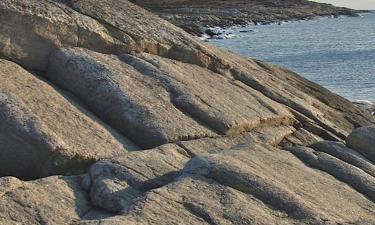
(45, 131)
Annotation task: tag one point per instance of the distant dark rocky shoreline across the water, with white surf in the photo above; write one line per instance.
(197, 17)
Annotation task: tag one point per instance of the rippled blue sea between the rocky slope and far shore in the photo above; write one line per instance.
(338, 53)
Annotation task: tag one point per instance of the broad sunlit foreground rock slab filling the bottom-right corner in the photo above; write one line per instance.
(242, 186)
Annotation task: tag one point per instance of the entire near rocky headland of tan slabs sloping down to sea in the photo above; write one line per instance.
(111, 115)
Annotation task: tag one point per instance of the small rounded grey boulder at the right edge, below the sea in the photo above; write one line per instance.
(363, 141)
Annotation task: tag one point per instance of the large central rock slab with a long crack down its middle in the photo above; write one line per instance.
(159, 100)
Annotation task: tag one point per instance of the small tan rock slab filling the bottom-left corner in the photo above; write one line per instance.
(52, 200)
